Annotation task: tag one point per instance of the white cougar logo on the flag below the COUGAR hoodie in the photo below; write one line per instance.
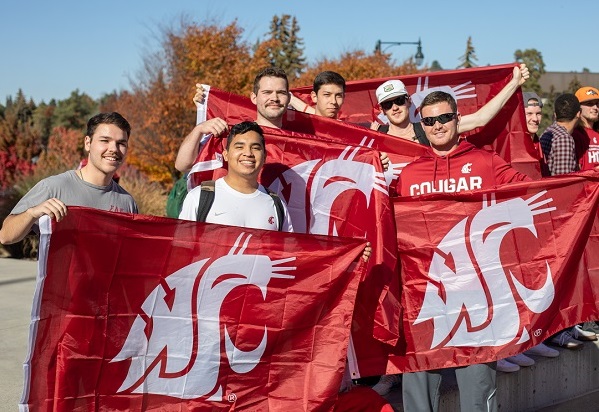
(488, 321)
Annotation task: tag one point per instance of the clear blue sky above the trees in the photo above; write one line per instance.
(50, 48)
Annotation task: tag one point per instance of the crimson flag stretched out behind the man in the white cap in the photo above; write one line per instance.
(472, 88)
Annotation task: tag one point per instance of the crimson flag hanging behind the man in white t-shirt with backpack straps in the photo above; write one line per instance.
(334, 189)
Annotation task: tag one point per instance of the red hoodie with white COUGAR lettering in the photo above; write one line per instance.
(465, 168)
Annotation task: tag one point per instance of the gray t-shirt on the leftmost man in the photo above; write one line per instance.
(72, 191)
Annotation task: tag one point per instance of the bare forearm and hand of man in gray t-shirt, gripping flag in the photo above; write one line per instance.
(16, 227)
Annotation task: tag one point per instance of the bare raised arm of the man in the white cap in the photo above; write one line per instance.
(484, 115)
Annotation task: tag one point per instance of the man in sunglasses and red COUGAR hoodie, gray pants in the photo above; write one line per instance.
(451, 165)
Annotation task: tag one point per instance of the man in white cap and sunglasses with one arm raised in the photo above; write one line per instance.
(394, 103)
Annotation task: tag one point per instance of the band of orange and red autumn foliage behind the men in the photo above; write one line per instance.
(159, 102)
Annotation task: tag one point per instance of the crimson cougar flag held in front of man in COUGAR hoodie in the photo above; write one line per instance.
(488, 274)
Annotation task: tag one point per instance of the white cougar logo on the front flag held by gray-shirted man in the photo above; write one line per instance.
(167, 361)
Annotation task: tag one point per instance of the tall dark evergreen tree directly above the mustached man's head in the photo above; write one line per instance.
(284, 46)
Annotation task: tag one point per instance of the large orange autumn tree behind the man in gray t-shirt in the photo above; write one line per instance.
(159, 106)
